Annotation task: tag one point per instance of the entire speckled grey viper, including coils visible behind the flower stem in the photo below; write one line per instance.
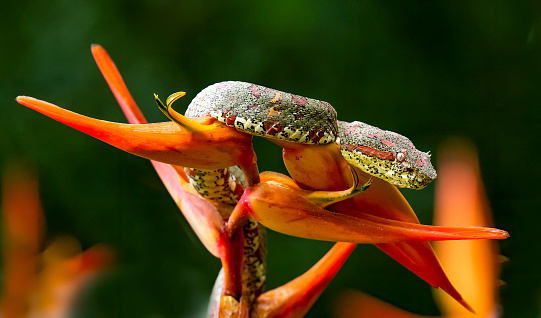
(273, 114)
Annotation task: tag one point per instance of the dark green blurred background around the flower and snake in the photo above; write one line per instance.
(428, 70)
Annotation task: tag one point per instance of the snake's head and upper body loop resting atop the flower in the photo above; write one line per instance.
(269, 113)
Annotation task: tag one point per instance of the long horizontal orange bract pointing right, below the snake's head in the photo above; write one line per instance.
(283, 209)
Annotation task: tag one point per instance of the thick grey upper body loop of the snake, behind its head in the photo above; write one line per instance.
(267, 112)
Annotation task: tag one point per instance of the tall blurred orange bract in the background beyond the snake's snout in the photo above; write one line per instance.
(473, 265)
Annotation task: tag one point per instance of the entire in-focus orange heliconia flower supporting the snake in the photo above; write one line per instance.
(317, 202)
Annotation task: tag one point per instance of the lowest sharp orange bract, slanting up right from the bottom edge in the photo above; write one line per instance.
(295, 298)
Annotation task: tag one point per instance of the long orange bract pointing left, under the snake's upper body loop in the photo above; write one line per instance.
(164, 142)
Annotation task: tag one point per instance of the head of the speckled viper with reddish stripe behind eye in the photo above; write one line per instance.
(385, 154)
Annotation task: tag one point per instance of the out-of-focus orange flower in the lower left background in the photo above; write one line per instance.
(39, 284)
